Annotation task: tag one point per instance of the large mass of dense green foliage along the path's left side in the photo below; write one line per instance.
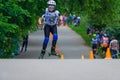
(14, 23)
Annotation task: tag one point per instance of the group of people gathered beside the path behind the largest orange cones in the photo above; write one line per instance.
(102, 40)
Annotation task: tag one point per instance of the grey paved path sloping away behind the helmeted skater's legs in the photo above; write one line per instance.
(70, 44)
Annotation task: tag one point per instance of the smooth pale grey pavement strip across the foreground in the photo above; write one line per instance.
(69, 69)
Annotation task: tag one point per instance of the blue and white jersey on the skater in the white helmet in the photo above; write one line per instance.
(51, 18)
